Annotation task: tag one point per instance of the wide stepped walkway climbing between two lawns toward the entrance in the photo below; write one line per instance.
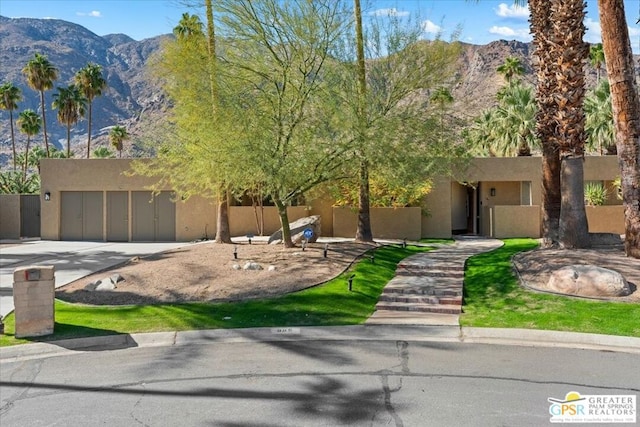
(427, 288)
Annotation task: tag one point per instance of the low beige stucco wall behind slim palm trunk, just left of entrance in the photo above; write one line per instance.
(386, 223)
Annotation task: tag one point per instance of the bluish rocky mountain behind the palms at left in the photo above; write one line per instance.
(69, 47)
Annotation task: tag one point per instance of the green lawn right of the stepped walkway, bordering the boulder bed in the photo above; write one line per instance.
(494, 299)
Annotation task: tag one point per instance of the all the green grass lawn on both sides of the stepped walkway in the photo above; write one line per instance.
(493, 298)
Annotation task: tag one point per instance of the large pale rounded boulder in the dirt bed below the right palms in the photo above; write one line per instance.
(588, 281)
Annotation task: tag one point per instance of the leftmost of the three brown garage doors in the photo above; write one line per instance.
(81, 215)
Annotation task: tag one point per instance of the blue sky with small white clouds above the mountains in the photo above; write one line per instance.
(481, 22)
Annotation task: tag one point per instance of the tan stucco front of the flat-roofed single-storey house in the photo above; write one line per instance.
(497, 197)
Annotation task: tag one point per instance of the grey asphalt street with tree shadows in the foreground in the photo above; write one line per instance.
(307, 382)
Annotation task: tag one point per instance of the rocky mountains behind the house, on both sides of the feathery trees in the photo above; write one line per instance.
(131, 95)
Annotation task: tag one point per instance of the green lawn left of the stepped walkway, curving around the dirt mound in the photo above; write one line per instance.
(329, 304)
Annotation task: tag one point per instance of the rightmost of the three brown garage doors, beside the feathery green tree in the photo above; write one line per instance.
(154, 217)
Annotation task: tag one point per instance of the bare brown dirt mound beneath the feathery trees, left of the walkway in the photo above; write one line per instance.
(205, 272)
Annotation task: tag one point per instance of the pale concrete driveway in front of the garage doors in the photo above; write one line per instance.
(72, 260)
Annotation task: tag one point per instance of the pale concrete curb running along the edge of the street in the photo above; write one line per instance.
(453, 334)
